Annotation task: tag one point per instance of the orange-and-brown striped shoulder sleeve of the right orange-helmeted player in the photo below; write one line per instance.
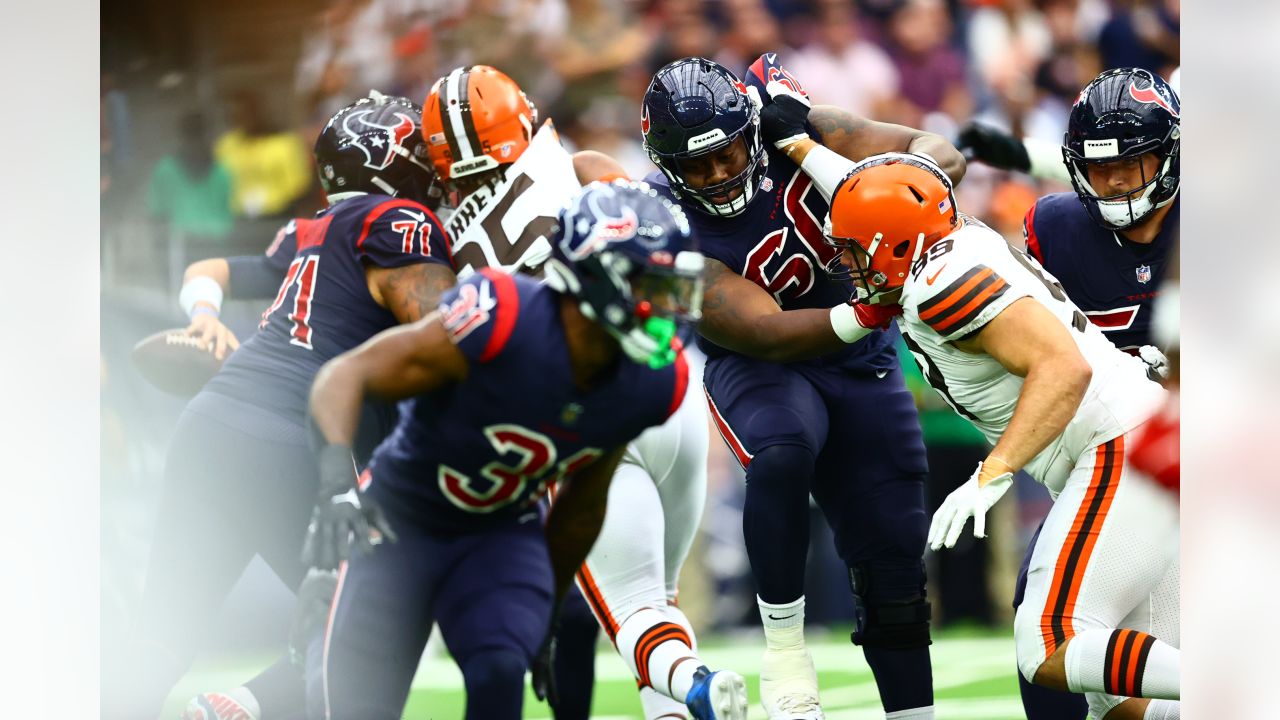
(962, 299)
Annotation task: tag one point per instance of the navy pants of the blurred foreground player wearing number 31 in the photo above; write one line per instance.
(490, 593)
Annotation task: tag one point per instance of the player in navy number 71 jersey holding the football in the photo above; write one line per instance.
(240, 477)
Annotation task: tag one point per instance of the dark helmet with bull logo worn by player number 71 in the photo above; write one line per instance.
(377, 145)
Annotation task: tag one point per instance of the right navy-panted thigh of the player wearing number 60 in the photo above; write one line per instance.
(871, 477)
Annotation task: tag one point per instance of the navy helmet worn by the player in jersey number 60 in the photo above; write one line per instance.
(693, 108)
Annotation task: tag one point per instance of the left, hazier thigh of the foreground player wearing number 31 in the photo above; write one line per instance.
(378, 627)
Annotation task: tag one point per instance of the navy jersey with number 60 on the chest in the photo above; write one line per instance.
(778, 244)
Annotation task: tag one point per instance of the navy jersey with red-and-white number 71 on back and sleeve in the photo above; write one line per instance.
(323, 307)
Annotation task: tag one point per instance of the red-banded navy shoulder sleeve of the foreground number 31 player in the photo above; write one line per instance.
(481, 315)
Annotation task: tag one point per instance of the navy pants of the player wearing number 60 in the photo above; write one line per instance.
(853, 441)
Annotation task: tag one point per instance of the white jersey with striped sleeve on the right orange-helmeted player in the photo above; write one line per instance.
(961, 285)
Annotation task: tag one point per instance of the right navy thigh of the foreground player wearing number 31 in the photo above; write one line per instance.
(500, 595)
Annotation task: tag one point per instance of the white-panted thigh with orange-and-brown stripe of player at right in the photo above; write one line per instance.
(1107, 546)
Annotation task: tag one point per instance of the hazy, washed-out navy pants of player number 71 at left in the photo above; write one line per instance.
(239, 482)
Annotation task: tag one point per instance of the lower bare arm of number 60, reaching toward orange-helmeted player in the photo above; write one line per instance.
(740, 316)
